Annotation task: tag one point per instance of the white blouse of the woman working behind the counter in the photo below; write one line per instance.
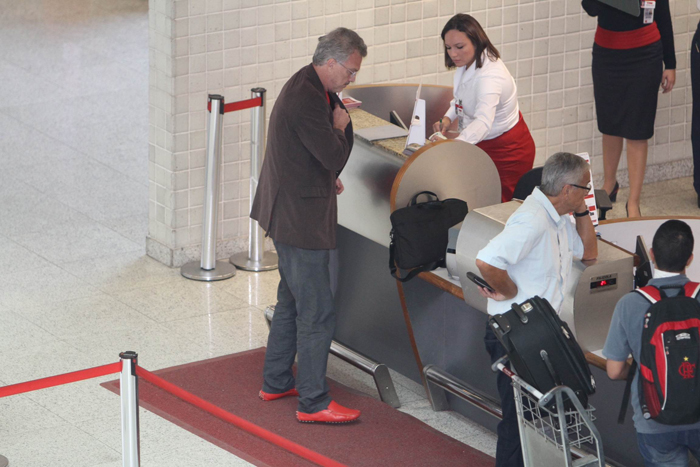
(489, 101)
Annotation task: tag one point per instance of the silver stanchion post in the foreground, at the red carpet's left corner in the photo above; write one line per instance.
(128, 386)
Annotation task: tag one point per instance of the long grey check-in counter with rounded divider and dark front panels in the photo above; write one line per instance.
(435, 319)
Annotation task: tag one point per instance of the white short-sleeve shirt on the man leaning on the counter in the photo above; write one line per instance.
(536, 247)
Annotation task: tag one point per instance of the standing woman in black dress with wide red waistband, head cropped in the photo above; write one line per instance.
(632, 56)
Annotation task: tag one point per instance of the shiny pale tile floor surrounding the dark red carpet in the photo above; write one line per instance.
(75, 285)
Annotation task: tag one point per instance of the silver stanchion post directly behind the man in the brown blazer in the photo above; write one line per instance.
(256, 259)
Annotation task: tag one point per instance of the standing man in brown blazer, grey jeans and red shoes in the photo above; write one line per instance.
(308, 144)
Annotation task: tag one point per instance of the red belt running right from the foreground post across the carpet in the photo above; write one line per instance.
(252, 428)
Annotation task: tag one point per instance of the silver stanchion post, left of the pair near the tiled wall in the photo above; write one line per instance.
(209, 269)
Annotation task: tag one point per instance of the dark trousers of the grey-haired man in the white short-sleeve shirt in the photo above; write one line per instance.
(508, 450)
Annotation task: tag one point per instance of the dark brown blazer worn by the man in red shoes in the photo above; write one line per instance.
(295, 202)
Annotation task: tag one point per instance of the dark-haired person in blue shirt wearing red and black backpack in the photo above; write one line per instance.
(658, 325)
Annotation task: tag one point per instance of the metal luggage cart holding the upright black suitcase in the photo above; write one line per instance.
(548, 437)
